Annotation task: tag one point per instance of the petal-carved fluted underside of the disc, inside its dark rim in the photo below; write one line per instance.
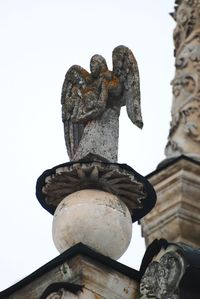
(111, 178)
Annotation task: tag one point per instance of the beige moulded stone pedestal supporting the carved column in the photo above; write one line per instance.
(176, 216)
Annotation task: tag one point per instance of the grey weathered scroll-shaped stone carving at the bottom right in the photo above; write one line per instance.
(161, 279)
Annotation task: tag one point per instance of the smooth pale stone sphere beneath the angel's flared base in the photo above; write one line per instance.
(96, 218)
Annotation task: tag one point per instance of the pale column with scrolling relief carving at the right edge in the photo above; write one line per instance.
(184, 136)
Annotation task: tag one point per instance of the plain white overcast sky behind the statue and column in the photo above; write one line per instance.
(40, 40)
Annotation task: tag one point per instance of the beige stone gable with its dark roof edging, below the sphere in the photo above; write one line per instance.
(79, 265)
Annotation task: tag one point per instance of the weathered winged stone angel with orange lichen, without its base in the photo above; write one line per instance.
(91, 105)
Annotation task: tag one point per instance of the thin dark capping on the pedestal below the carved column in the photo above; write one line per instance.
(168, 162)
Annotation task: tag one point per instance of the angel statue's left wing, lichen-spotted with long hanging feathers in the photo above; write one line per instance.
(75, 80)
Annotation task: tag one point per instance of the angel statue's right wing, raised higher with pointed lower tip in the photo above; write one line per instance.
(126, 69)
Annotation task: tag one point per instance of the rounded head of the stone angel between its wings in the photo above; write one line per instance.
(98, 65)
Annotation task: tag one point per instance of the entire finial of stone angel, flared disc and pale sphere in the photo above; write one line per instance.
(94, 200)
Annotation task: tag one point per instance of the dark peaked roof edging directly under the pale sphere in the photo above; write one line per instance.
(70, 253)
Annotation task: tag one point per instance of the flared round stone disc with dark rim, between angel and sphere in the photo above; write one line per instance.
(118, 179)
